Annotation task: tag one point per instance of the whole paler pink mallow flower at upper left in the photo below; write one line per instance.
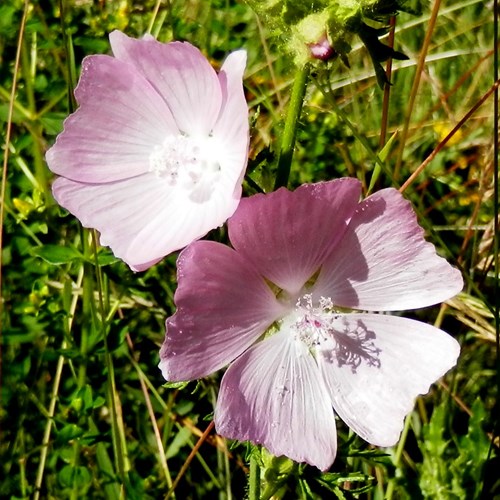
(155, 154)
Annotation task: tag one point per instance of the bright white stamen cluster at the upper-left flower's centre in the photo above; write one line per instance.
(186, 161)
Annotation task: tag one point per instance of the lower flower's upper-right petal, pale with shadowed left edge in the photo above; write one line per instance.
(384, 262)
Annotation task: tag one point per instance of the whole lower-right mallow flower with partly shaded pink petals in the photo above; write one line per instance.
(298, 308)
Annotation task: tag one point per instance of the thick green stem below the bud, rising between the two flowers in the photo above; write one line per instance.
(290, 130)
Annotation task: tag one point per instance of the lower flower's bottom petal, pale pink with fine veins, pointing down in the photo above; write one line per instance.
(273, 395)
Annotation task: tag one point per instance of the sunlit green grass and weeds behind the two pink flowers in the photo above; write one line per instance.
(84, 411)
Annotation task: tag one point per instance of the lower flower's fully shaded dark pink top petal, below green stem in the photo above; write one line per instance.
(287, 235)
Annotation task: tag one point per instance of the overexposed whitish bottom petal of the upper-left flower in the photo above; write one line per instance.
(144, 218)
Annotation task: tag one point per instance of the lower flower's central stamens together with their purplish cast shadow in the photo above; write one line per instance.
(329, 334)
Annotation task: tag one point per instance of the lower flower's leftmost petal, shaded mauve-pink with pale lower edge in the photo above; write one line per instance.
(223, 307)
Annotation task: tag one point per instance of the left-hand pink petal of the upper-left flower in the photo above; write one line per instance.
(120, 120)
